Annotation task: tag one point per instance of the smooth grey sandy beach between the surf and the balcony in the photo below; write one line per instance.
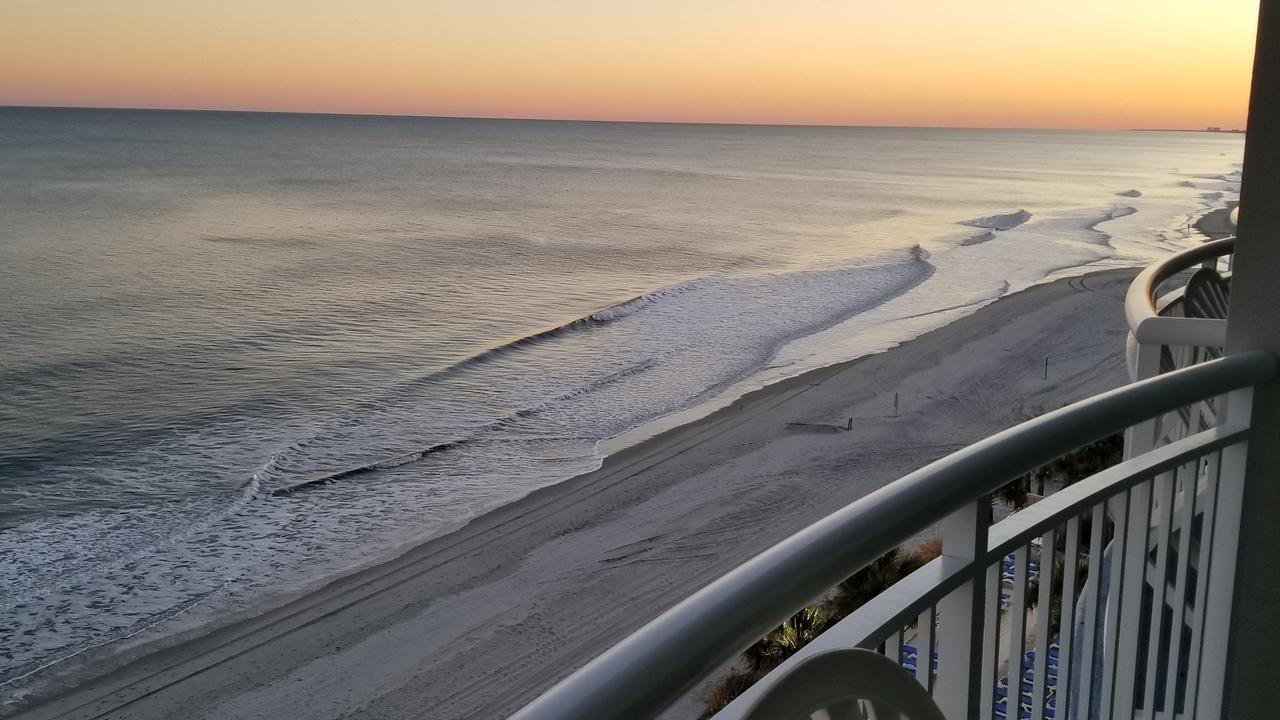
(477, 623)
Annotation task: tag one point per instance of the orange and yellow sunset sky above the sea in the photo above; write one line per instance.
(940, 63)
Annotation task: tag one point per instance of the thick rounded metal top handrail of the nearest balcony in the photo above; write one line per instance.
(643, 675)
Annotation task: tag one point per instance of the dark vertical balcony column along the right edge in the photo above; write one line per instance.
(1251, 689)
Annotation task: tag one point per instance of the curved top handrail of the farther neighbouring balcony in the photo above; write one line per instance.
(1140, 303)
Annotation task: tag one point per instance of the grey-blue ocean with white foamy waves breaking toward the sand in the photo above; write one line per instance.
(248, 353)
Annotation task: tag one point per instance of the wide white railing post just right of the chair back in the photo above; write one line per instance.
(961, 632)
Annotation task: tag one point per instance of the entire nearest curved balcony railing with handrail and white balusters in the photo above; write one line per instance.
(1133, 567)
